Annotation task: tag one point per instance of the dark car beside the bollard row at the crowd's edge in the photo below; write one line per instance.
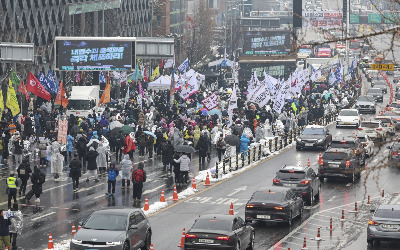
(314, 136)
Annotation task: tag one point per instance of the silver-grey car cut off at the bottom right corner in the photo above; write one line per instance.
(384, 224)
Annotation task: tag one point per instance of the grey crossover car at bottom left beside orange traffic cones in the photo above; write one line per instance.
(126, 228)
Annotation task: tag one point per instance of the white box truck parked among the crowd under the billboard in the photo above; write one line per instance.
(84, 100)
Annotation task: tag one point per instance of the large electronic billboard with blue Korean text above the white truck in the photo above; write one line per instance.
(93, 55)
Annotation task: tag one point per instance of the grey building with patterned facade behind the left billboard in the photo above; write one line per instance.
(39, 21)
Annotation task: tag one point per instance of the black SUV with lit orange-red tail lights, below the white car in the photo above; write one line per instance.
(339, 162)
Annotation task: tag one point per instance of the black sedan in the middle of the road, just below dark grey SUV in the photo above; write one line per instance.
(274, 204)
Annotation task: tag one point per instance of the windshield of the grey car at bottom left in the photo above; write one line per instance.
(110, 222)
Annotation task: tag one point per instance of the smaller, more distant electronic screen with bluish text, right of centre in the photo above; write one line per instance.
(275, 42)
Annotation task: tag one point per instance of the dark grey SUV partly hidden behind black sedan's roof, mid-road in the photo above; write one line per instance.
(302, 180)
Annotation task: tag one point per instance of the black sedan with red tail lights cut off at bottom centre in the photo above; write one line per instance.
(220, 231)
